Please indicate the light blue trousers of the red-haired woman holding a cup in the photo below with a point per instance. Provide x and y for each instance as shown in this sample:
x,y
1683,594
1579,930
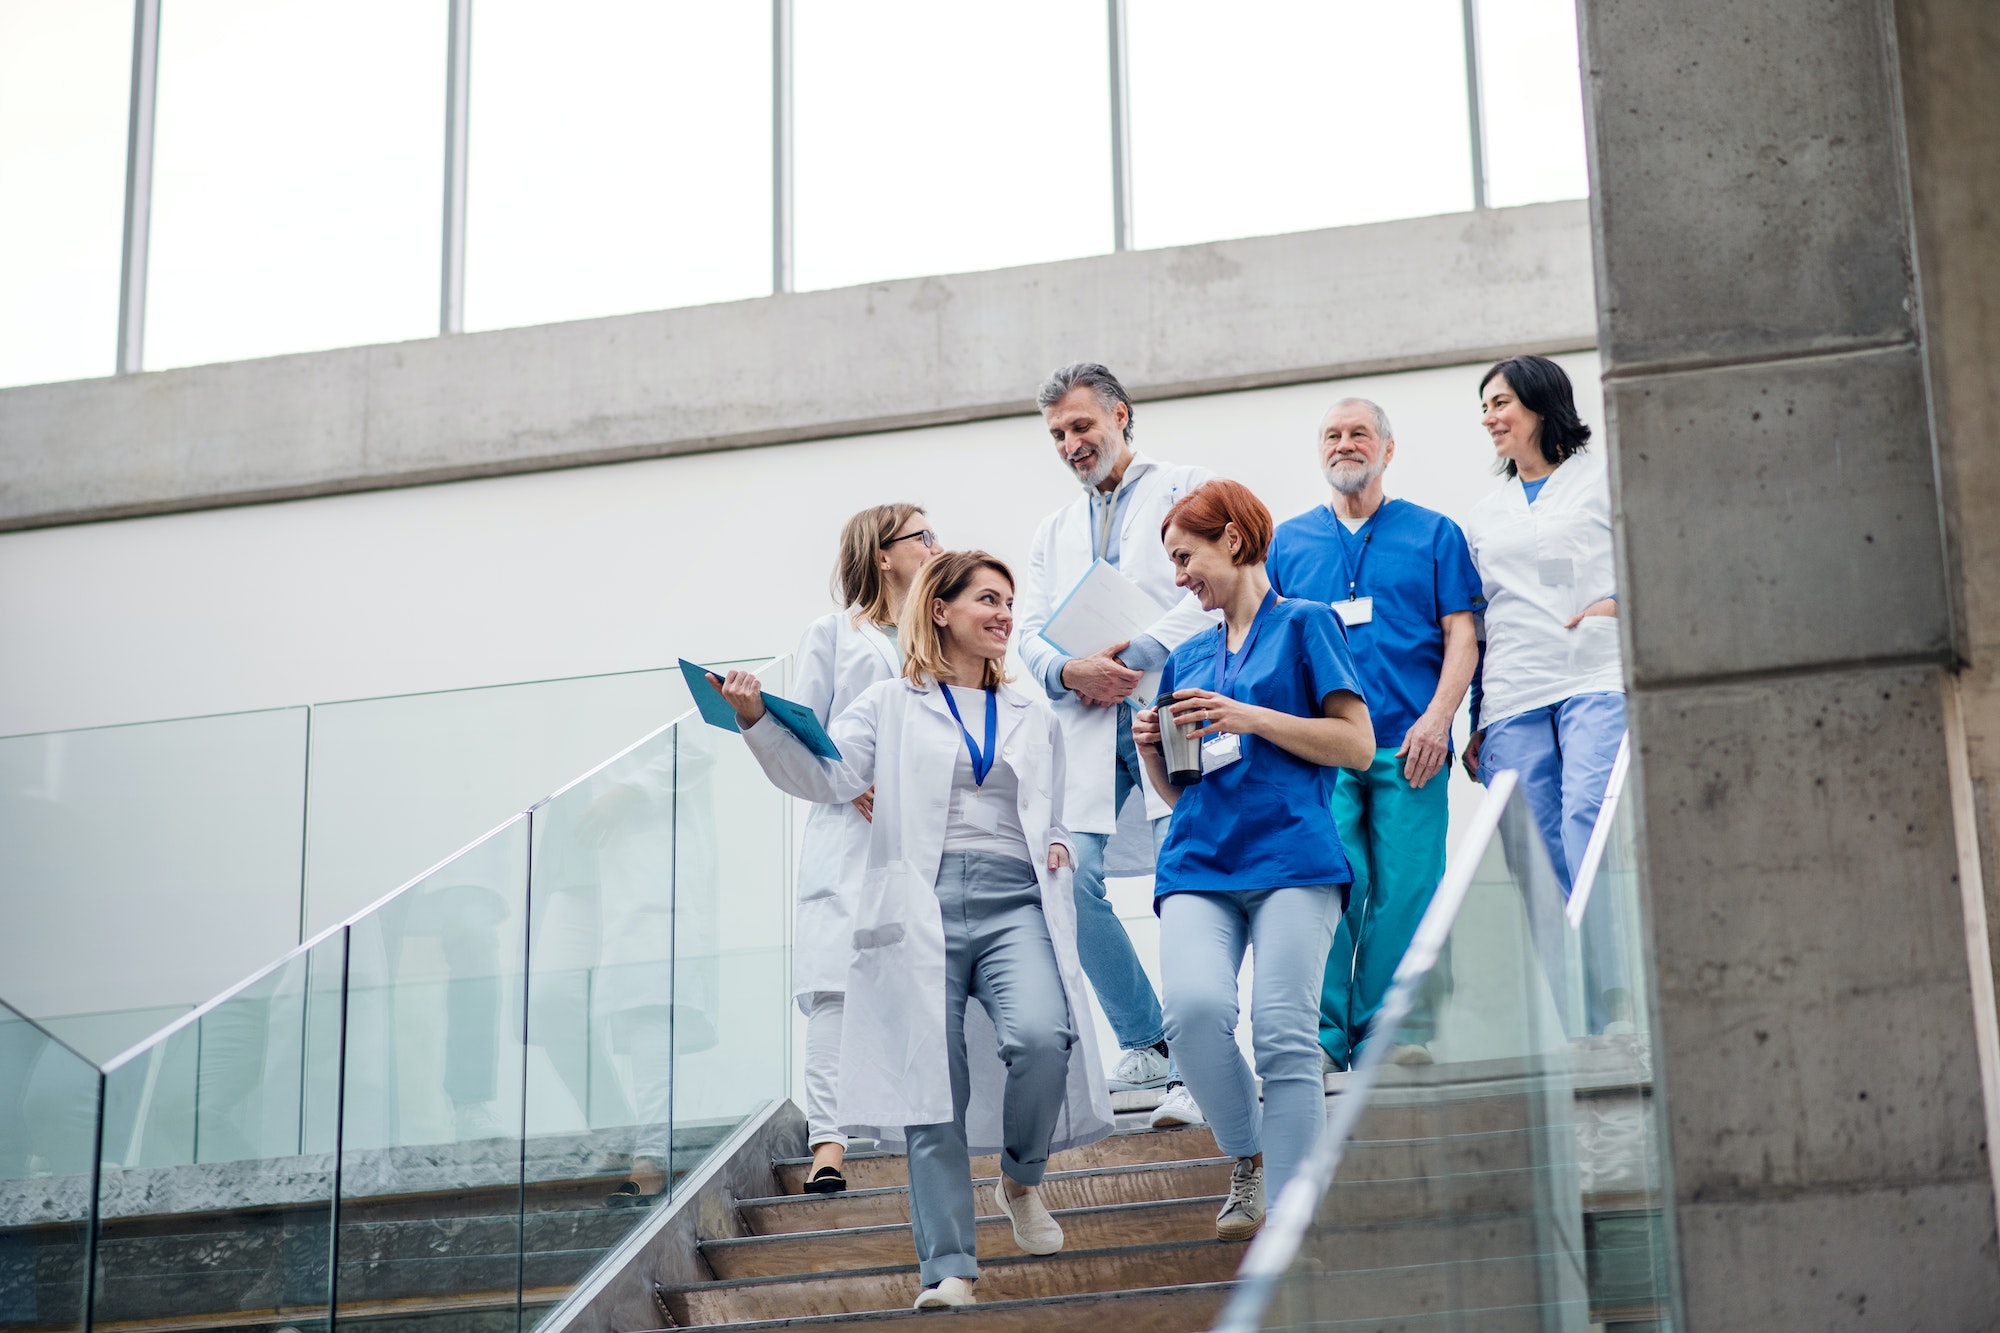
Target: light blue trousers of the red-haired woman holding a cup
x,y
1203,942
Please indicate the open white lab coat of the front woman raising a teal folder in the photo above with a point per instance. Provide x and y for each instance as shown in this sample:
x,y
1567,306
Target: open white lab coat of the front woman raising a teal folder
x,y
901,740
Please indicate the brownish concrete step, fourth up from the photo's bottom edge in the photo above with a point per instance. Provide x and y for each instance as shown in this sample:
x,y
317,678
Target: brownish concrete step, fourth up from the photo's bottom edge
x,y
1063,1190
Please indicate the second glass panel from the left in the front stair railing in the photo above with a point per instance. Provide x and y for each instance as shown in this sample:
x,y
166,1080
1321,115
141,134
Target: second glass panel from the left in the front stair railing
x,y
215,1200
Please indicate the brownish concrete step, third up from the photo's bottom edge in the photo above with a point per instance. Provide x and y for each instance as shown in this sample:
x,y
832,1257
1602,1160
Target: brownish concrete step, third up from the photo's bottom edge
x,y
865,1248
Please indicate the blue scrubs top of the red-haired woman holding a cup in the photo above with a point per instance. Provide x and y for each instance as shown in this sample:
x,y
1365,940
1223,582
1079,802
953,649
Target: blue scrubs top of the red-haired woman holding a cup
x,y
1267,820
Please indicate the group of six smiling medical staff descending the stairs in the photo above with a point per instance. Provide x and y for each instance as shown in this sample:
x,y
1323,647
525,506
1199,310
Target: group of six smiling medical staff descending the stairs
x,y
959,846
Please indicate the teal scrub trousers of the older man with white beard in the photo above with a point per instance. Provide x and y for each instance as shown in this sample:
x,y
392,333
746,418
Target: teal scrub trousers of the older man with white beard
x,y
1395,842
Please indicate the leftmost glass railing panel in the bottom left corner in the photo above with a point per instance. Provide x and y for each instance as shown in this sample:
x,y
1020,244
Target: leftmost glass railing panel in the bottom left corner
x,y
49,1140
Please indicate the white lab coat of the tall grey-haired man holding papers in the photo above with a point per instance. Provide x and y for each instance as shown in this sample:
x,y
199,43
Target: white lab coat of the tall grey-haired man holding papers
x,y
1063,553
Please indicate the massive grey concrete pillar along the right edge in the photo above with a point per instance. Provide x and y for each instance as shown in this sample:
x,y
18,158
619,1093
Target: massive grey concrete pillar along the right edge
x,y
1793,643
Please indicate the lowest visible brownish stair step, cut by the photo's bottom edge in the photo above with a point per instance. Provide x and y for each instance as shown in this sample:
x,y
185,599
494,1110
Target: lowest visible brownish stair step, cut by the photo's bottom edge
x,y
1189,1308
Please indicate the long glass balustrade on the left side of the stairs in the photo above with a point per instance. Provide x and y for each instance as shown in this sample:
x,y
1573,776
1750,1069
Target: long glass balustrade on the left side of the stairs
x,y
443,1110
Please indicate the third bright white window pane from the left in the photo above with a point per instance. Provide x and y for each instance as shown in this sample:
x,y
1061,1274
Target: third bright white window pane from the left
x,y
621,159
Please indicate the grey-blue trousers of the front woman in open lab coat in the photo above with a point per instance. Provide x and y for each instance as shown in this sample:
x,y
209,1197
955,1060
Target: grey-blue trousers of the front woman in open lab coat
x,y
995,950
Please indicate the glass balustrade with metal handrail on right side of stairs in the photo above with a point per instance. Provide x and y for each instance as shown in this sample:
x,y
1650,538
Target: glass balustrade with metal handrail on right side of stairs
x,y
1485,1168
